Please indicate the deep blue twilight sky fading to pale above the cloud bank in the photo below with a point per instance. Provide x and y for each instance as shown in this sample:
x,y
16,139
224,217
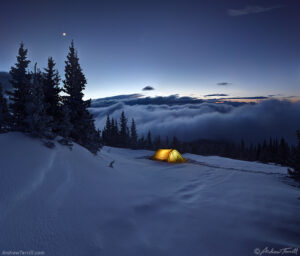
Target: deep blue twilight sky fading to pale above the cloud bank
x,y
178,47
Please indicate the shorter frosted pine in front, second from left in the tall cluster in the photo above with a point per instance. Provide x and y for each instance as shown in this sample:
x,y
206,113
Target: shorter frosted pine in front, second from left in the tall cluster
x,y
36,117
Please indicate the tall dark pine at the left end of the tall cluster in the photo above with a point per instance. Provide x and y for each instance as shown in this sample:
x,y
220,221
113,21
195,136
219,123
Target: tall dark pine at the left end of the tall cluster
x,y
19,95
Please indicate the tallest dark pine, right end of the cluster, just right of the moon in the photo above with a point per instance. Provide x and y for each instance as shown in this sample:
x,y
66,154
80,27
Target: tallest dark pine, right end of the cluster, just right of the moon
x,y
83,129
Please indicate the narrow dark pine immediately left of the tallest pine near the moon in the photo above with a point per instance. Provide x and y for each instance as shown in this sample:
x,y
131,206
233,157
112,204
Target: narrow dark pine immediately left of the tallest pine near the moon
x,y
51,96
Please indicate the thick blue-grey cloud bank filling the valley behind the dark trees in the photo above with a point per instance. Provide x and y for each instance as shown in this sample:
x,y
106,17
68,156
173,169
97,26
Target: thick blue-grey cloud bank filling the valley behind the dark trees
x,y
204,120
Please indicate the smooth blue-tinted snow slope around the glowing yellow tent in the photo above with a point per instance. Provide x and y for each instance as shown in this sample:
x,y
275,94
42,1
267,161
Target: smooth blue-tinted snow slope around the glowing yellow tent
x,y
69,202
